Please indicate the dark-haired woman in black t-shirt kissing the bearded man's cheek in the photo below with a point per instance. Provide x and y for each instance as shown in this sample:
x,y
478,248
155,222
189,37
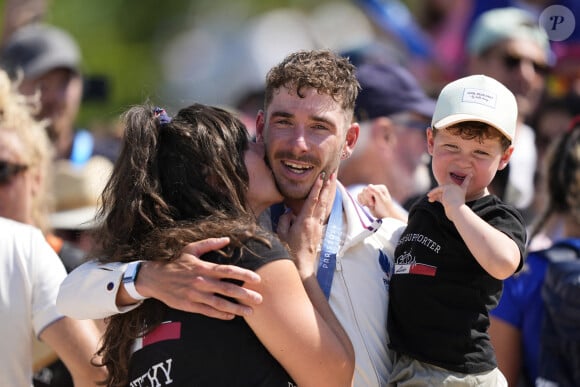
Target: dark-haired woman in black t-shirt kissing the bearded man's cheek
x,y
197,176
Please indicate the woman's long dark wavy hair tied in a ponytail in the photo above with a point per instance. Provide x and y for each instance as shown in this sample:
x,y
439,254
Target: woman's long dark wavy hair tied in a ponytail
x,y
174,182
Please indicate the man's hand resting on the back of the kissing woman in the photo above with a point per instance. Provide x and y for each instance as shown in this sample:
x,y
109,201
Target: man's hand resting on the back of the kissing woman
x,y
193,285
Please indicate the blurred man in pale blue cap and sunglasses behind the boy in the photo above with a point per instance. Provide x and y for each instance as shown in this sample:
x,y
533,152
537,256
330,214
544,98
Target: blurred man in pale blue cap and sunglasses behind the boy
x,y
509,45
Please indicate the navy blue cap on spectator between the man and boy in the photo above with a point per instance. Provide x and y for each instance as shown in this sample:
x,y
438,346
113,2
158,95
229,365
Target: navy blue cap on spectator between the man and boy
x,y
388,88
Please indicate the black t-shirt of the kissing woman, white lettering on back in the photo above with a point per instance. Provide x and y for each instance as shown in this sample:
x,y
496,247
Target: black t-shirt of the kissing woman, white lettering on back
x,y
195,350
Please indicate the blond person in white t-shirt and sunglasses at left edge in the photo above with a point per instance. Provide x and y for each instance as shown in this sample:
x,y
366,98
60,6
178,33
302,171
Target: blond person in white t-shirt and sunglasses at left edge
x,y
30,270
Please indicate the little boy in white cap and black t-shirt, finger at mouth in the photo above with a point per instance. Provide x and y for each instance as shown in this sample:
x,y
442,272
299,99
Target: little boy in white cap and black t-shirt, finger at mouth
x,y
460,243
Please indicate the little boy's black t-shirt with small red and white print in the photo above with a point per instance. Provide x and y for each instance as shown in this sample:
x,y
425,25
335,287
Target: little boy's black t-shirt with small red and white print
x,y
439,294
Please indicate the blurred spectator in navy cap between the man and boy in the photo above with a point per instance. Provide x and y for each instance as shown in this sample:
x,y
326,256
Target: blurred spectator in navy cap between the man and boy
x,y
393,112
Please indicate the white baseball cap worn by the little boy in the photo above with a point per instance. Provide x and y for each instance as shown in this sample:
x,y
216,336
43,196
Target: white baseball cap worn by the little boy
x,y
477,98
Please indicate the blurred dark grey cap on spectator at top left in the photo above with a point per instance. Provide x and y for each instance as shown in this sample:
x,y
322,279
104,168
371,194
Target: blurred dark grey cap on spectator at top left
x,y
38,48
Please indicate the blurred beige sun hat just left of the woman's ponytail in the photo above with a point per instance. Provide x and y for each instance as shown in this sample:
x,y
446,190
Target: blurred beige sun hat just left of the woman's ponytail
x,y
77,189
